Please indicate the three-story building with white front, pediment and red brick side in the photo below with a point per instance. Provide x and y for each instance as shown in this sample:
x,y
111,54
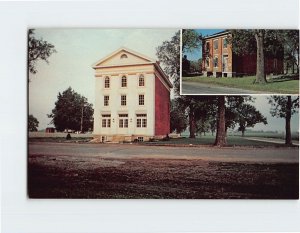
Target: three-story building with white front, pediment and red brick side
x,y
132,98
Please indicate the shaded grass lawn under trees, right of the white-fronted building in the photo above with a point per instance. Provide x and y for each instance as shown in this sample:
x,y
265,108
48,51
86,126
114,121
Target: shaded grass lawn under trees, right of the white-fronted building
x,y
209,140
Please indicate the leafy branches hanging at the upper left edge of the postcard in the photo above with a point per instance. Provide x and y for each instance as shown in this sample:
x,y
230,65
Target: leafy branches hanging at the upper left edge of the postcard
x,y
38,49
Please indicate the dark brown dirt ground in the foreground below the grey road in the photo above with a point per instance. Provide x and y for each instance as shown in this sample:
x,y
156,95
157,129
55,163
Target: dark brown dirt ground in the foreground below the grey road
x,y
64,176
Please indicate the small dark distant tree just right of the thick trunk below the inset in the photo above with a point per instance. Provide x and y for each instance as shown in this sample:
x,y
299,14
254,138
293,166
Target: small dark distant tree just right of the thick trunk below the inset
x,y
248,116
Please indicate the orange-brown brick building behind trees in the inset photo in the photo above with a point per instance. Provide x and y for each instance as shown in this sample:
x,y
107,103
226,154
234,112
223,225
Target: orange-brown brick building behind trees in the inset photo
x,y
219,60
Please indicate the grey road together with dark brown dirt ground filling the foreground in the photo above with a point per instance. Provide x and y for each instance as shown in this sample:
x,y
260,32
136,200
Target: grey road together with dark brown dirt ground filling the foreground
x,y
67,170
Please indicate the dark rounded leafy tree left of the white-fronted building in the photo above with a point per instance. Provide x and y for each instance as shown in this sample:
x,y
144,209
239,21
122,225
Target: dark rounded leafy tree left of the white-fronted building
x,y
72,111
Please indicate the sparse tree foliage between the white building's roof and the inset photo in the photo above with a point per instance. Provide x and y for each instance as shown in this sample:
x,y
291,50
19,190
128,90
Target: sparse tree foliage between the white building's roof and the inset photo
x,y
169,56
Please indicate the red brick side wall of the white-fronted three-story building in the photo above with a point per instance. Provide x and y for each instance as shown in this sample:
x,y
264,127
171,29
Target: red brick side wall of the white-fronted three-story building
x,y
162,109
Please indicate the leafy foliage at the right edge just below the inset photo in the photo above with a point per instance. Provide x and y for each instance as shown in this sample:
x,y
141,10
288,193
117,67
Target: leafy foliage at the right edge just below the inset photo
x,y
279,105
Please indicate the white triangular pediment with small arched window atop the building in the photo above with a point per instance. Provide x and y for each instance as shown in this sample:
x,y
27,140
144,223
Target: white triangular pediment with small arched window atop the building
x,y
122,57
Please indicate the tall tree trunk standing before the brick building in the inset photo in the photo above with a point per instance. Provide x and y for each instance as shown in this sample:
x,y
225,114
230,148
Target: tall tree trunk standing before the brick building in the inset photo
x,y
260,61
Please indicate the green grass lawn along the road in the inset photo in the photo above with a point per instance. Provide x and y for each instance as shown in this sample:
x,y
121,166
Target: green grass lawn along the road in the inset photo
x,y
284,85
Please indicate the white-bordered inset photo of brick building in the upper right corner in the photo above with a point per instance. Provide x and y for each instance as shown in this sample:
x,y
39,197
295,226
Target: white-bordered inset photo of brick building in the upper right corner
x,y
229,62
